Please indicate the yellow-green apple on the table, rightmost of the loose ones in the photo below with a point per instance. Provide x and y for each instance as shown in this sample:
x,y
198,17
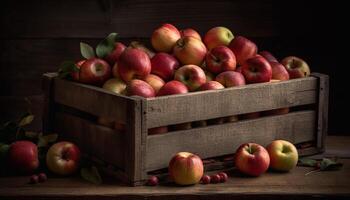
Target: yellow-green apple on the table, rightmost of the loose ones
x,y
283,155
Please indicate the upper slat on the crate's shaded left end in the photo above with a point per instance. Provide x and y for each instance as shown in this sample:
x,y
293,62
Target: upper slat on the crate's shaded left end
x,y
90,99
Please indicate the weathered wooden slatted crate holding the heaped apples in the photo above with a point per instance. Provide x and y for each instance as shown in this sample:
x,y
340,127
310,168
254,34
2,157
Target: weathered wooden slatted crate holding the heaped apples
x,y
71,109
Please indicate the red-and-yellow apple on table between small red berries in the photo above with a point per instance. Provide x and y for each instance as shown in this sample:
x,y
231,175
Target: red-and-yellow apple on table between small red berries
x,y
186,168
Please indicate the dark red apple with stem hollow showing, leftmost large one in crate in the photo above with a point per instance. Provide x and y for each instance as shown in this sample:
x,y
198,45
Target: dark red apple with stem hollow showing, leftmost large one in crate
x,y
94,71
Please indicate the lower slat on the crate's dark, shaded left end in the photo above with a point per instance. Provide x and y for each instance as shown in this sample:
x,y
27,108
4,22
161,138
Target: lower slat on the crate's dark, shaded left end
x,y
98,141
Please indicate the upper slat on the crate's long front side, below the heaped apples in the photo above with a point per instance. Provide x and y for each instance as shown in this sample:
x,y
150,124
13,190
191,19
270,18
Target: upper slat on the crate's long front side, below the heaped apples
x,y
231,101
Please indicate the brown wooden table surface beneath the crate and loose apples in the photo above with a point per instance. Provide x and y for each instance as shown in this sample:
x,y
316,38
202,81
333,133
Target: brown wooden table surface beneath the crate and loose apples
x,y
327,185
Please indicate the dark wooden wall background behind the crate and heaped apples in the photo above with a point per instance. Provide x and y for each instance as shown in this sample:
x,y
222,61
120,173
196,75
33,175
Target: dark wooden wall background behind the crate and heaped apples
x,y
36,36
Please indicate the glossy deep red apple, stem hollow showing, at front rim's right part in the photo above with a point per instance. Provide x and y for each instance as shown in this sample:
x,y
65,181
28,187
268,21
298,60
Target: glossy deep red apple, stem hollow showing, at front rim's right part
x,y
257,70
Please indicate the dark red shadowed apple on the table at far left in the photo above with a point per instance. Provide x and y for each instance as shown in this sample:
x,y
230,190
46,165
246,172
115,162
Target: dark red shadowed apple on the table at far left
x,y
23,156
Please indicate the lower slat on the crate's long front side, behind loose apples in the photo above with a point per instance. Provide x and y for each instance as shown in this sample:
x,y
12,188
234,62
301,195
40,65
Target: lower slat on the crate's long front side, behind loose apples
x,y
223,139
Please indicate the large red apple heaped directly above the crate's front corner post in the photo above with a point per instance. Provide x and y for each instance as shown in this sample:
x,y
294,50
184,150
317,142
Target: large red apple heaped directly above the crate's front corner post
x,y
133,63
